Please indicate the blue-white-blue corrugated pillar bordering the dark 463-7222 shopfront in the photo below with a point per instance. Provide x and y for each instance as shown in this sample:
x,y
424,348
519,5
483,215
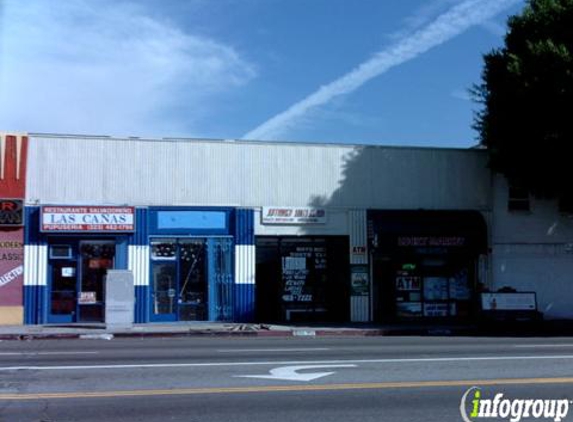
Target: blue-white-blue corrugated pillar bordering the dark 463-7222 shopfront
x,y
244,265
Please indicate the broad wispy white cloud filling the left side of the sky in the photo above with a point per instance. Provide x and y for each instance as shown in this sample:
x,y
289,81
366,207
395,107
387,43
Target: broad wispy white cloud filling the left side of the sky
x,y
107,67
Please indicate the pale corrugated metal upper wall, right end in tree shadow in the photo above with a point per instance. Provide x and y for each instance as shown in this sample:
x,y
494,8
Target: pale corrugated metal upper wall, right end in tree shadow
x,y
191,172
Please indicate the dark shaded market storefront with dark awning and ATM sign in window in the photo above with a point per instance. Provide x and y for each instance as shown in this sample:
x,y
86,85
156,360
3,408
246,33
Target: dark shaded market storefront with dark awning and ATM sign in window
x,y
426,264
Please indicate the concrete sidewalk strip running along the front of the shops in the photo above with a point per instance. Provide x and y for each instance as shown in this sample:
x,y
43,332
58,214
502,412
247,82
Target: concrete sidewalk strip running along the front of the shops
x,y
189,329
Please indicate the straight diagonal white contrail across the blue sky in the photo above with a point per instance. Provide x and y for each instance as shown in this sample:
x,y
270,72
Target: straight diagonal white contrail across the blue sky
x,y
445,27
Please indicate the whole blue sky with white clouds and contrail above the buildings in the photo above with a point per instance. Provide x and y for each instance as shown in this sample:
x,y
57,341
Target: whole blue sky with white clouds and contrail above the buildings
x,y
388,72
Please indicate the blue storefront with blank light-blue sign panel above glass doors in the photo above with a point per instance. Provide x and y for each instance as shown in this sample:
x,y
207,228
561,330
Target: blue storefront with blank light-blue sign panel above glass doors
x,y
192,267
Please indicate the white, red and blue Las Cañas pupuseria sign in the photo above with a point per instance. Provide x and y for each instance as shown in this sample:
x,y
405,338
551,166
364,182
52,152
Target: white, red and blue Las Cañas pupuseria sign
x,y
88,219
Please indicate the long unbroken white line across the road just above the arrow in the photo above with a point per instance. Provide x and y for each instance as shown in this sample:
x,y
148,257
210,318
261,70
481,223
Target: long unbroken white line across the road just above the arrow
x,y
279,363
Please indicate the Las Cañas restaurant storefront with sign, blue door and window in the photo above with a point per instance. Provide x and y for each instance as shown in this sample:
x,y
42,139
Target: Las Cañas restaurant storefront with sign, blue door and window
x,y
80,245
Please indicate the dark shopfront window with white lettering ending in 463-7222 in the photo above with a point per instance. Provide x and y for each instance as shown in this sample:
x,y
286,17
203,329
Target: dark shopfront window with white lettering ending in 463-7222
x,y
302,278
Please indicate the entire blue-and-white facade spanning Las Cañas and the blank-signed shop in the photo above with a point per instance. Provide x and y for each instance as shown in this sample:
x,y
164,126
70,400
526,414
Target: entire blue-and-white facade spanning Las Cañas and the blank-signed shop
x,y
188,263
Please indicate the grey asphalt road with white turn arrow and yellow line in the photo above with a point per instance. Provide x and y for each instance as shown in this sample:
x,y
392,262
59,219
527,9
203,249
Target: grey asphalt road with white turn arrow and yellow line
x,y
285,379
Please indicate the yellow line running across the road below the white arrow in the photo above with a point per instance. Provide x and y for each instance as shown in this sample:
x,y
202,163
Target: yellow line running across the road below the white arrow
x,y
279,388
